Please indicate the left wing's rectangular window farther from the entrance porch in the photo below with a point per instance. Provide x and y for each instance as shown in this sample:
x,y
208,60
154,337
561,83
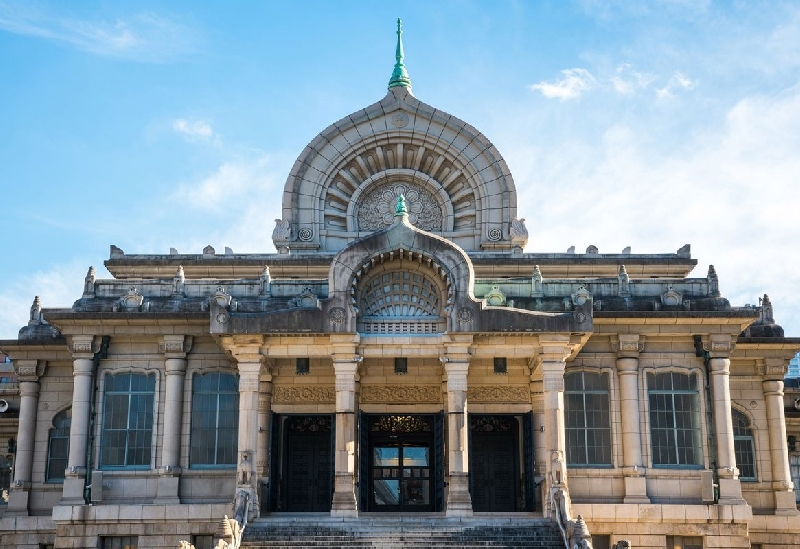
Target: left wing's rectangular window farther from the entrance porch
x,y
127,435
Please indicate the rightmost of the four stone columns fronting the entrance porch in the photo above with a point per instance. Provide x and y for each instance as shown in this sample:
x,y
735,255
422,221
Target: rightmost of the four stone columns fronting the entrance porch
x,y
554,351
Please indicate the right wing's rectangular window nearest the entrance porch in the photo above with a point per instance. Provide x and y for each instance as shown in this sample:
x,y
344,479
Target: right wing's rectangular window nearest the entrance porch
x,y
587,418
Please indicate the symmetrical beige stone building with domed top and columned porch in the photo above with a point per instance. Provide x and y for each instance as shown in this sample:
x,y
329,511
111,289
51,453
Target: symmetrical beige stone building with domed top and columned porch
x,y
401,353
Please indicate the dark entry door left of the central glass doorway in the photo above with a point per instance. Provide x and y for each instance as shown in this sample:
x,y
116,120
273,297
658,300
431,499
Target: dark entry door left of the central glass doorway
x,y
309,472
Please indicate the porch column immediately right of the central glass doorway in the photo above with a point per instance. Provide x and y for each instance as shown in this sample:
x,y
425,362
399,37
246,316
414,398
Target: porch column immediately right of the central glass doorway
x,y
456,367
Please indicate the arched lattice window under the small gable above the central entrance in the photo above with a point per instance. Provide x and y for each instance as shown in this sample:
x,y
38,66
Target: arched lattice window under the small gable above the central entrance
x,y
400,301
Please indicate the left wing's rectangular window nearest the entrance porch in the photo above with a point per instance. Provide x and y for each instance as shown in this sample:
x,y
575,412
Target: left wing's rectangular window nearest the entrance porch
x,y
215,420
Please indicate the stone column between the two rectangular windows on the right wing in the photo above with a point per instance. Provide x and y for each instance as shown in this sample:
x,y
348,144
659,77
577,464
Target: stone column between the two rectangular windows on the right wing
x,y
628,347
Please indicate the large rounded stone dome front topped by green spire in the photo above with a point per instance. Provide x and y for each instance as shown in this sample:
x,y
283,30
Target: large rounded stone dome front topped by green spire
x,y
345,183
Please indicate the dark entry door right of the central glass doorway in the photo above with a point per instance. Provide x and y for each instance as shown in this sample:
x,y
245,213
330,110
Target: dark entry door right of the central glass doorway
x,y
493,470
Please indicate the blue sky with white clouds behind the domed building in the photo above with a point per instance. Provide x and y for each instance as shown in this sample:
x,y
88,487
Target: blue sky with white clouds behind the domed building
x,y
152,125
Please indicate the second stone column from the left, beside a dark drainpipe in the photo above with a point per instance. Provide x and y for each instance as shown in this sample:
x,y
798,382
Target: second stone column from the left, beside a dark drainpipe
x,y
83,377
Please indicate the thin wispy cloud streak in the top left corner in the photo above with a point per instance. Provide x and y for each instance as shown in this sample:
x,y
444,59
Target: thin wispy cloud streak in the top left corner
x,y
145,37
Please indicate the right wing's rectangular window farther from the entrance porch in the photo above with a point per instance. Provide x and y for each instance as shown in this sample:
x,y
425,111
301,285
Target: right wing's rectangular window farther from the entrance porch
x,y
675,432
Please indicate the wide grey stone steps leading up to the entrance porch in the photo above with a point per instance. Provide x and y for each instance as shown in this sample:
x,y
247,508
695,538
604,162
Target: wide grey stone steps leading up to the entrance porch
x,y
388,533
